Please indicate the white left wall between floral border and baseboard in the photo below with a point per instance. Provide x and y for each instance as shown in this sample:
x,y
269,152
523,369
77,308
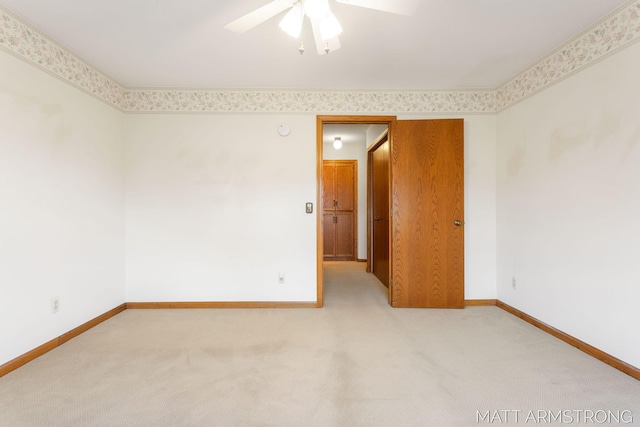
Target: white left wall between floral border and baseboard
x,y
62,207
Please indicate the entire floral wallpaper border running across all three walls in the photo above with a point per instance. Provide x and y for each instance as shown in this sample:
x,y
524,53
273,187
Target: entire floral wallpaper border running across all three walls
x,y
612,33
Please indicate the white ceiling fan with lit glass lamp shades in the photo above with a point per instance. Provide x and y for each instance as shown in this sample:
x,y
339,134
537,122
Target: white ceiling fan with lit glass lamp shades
x,y
324,23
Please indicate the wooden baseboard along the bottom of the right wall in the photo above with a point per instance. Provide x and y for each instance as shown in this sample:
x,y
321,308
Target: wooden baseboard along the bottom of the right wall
x,y
580,345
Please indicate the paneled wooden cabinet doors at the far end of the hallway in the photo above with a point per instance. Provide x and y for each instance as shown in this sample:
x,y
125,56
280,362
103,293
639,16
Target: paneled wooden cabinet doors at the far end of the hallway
x,y
339,210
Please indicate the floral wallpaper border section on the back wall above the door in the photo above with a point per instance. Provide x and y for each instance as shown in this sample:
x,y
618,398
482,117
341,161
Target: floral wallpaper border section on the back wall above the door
x,y
297,101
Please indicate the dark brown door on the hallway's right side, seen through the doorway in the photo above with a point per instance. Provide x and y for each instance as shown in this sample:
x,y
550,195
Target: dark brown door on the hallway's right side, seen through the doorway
x,y
380,212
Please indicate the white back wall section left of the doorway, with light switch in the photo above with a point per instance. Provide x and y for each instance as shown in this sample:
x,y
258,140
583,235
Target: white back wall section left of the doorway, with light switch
x,y
216,208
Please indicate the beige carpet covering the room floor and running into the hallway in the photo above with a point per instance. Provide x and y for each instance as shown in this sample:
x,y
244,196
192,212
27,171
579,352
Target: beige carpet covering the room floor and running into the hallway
x,y
356,362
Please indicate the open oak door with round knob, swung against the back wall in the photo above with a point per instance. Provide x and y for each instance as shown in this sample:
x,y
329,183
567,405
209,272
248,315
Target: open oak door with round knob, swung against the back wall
x,y
427,162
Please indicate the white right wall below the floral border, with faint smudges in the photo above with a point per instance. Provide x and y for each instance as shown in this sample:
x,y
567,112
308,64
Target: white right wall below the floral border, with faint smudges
x,y
569,205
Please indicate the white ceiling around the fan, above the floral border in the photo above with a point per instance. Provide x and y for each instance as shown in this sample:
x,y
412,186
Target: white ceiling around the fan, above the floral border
x,y
447,44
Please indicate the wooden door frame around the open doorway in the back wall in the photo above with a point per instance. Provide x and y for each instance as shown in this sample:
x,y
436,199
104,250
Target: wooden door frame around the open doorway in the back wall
x,y
320,122
